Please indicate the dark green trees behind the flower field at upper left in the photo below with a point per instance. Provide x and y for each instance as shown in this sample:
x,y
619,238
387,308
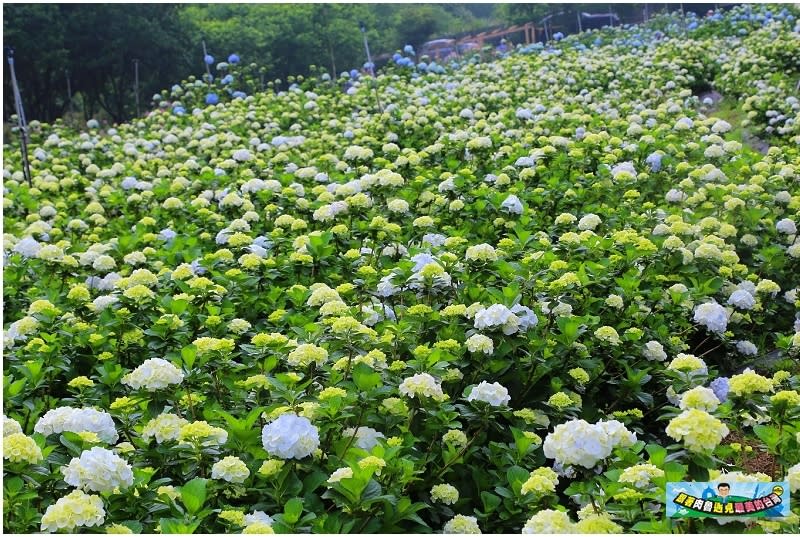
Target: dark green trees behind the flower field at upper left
x,y
93,46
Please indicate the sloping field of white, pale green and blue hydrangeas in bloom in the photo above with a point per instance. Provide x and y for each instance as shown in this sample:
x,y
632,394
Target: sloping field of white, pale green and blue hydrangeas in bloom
x,y
508,296
